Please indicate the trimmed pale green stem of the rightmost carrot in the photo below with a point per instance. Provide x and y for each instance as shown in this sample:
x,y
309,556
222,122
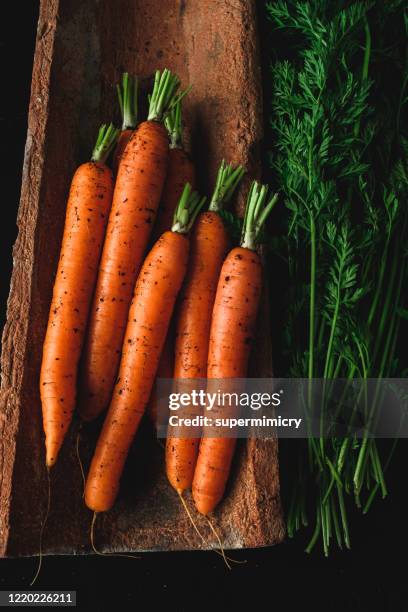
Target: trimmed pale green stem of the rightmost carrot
x,y
256,212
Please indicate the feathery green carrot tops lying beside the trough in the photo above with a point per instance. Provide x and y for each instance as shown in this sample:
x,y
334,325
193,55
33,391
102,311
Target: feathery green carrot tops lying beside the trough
x,y
340,158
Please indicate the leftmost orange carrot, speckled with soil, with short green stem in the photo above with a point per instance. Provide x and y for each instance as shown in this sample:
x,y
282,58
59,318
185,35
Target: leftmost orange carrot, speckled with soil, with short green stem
x,y
88,206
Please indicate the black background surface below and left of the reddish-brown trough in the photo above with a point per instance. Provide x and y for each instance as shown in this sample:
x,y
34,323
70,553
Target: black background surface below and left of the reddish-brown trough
x,y
372,576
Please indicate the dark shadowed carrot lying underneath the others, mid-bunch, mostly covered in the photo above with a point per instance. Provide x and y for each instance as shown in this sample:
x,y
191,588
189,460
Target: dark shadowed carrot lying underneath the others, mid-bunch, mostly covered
x,y
179,172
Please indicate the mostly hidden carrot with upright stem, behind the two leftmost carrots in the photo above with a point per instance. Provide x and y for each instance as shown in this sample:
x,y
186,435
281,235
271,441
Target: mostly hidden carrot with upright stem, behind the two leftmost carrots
x,y
127,95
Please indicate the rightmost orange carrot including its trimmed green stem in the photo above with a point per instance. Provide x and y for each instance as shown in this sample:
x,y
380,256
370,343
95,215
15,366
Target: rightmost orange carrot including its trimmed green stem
x,y
232,330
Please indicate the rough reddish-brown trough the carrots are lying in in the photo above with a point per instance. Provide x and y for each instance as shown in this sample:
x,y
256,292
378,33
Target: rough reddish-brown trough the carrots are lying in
x,y
82,47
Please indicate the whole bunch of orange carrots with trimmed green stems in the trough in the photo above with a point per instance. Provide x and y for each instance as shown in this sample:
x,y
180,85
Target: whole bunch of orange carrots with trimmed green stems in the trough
x,y
147,286
